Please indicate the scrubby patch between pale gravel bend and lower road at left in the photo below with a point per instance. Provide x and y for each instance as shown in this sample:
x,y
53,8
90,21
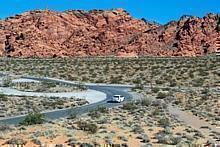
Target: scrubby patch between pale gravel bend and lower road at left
x,y
17,105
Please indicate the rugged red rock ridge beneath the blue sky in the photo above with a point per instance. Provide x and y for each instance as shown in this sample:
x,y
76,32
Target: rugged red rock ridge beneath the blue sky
x,y
104,33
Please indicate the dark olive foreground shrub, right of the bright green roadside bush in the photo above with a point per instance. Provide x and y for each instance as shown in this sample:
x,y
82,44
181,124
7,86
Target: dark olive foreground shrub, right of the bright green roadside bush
x,y
89,127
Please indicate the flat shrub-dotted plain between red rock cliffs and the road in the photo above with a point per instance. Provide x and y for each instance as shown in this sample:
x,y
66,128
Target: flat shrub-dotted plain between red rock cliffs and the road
x,y
152,71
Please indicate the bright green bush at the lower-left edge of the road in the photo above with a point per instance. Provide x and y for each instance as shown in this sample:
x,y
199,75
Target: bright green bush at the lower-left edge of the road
x,y
33,118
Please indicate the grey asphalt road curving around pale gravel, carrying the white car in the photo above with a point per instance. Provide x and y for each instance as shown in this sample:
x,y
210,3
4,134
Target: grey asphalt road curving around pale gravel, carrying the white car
x,y
60,113
